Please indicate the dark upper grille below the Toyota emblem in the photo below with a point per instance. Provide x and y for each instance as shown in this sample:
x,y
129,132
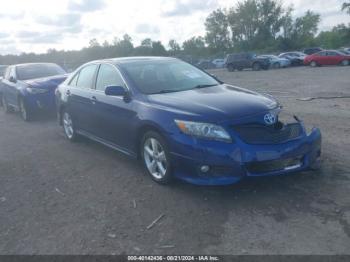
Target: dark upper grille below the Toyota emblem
x,y
260,134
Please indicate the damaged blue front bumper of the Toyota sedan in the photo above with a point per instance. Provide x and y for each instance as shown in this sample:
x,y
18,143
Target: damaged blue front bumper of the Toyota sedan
x,y
230,163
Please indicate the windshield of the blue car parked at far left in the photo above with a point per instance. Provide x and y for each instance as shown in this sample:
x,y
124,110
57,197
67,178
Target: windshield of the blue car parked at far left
x,y
25,72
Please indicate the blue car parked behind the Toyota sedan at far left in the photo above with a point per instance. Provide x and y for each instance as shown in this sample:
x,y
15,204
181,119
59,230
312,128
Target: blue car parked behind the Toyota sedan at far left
x,y
29,88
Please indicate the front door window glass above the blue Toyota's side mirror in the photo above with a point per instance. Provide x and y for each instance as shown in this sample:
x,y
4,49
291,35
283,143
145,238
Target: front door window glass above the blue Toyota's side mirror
x,y
108,76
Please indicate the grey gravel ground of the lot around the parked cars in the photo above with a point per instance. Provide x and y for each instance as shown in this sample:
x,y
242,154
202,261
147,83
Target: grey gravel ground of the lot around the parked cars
x,y
58,197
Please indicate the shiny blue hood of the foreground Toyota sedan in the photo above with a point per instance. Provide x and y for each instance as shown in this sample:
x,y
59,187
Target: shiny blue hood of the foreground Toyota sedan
x,y
215,104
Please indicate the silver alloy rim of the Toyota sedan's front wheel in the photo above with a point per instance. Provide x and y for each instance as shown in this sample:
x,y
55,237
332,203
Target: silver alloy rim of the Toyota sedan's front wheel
x,y
155,158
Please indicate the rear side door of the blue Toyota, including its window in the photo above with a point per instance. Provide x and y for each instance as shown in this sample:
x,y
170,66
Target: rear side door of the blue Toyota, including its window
x,y
80,92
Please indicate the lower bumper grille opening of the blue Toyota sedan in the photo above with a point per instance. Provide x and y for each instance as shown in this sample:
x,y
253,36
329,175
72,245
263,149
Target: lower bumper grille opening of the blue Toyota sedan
x,y
274,165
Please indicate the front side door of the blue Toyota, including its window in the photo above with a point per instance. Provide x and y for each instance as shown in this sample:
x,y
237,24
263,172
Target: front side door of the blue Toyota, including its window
x,y
113,116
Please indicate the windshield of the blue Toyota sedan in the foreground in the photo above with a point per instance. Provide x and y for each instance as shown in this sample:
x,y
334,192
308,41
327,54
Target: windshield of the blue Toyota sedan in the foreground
x,y
154,77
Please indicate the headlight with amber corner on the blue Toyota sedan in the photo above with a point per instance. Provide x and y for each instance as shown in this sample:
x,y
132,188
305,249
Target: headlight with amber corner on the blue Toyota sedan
x,y
204,130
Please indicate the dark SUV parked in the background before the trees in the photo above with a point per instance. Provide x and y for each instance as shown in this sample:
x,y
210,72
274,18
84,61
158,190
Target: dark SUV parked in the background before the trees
x,y
246,60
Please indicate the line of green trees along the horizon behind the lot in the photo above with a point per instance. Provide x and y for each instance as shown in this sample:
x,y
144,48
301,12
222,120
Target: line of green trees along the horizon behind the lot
x,y
251,25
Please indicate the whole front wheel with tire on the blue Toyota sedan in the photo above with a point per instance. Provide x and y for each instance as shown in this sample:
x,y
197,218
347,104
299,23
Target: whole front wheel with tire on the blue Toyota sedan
x,y
156,158
